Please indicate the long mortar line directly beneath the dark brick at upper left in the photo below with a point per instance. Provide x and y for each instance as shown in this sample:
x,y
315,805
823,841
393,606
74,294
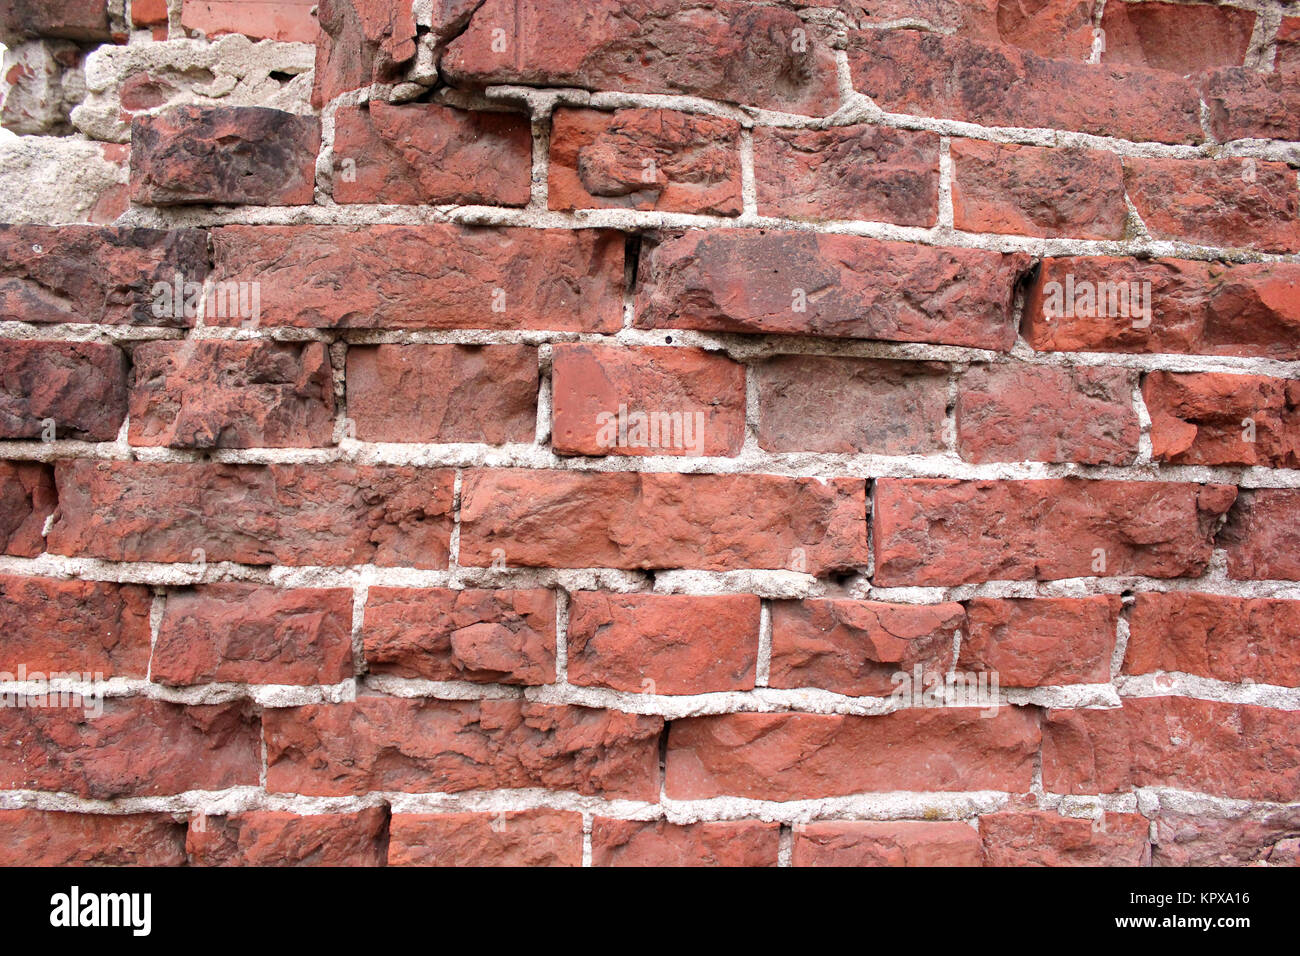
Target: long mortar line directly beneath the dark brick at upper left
x,y
630,220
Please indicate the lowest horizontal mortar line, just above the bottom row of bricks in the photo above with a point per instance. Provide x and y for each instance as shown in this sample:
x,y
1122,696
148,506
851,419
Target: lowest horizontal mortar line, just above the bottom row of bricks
x,y
886,806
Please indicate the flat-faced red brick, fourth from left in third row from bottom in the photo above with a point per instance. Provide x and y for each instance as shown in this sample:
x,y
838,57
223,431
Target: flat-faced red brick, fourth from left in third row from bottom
x,y
664,643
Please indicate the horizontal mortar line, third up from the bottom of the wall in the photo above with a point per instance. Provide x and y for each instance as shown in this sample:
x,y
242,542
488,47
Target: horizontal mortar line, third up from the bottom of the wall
x,y
768,583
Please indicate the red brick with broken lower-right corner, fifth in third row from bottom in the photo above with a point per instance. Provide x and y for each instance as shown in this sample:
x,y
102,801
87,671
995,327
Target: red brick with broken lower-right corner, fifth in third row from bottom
x,y
859,647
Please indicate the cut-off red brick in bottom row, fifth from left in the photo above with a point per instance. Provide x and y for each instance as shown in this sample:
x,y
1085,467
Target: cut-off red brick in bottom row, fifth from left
x,y
909,843
